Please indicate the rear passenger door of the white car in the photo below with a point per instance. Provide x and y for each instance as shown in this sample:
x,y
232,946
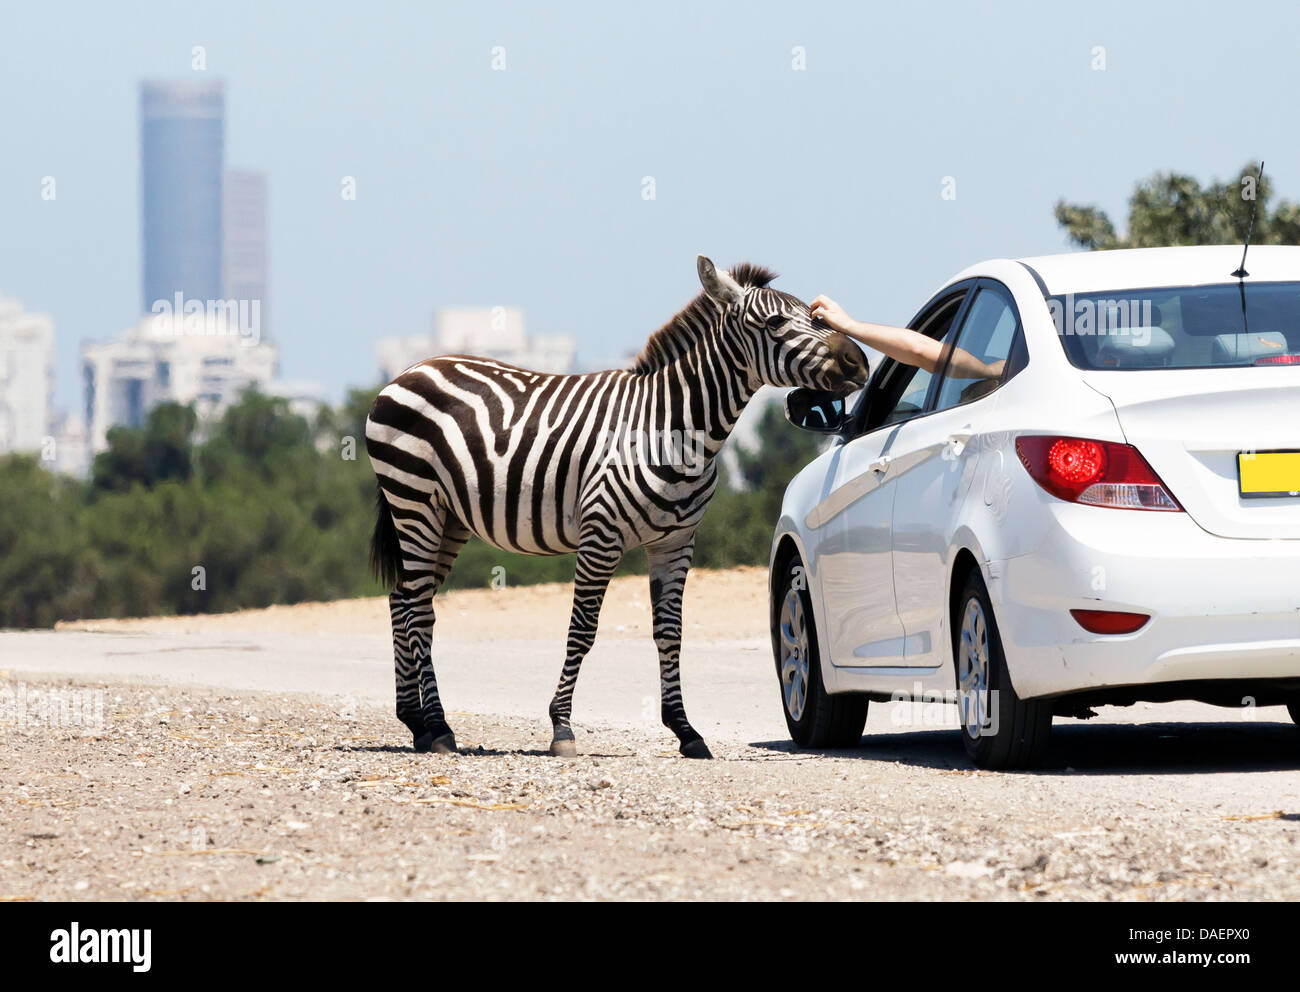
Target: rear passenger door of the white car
x,y
934,462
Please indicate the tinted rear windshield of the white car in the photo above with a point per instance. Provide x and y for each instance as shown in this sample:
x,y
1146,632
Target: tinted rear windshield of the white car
x,y
1190,327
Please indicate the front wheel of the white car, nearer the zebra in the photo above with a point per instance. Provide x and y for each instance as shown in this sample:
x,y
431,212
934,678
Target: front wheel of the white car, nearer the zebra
x,y
816,718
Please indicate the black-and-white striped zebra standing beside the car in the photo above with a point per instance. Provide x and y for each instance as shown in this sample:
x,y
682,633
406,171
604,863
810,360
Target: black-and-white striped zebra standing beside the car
x,y
539,463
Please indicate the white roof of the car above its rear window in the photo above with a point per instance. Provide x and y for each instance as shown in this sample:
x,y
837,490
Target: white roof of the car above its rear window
x,y
1146,268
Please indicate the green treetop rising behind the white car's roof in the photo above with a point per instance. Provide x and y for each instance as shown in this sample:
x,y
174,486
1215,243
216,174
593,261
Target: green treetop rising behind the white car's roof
x,y
1171,209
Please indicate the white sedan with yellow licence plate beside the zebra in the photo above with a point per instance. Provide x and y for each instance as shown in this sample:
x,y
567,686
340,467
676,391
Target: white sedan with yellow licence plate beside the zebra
x,y
1108,513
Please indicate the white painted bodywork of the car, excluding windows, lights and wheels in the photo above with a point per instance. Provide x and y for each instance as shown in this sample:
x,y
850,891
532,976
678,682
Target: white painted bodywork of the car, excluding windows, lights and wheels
x,y
1221,582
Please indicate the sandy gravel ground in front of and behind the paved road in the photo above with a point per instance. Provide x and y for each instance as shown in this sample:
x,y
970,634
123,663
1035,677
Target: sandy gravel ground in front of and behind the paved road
x,y
187,792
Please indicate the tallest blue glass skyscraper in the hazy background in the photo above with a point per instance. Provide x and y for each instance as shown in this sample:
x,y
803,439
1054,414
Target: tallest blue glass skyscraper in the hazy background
x,y
183,146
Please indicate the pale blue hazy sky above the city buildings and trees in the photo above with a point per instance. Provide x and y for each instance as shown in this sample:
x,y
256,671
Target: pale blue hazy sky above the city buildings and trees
x,y
526,187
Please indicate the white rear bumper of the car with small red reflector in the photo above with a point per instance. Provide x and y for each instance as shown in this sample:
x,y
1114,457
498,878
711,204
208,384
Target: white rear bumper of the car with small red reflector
x,y
1220,609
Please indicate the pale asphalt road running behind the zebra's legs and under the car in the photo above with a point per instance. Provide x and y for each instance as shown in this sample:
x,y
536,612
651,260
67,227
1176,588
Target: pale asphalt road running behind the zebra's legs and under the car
x,y
730,685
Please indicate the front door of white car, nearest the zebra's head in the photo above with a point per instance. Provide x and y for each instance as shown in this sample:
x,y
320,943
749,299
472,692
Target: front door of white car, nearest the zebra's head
x,y
855,555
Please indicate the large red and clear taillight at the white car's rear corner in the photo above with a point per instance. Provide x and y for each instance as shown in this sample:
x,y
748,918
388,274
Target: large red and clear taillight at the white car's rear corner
x,y
1094,473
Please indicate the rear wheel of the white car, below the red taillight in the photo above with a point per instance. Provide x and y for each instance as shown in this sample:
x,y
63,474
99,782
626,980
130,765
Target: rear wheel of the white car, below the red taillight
x,y
999,729
